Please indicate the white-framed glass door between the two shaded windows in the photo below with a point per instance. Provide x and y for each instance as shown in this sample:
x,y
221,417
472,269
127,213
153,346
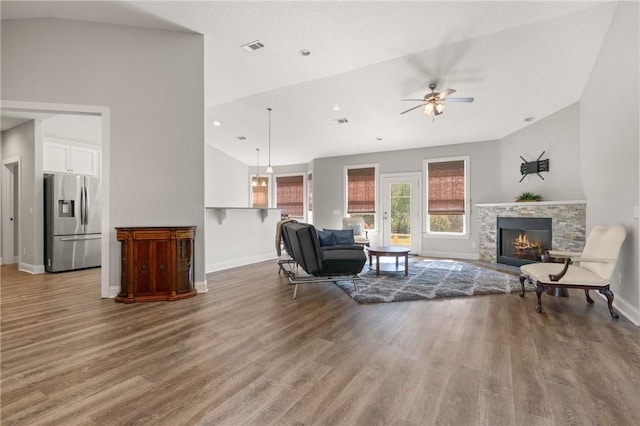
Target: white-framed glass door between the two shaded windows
x,y
401,212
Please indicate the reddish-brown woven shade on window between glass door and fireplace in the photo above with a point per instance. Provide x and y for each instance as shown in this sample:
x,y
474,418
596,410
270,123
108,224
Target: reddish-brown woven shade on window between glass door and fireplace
x,y
446,187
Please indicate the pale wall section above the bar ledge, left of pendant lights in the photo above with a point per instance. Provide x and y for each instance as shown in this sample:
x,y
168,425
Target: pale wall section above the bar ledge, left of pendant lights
x,y
226,180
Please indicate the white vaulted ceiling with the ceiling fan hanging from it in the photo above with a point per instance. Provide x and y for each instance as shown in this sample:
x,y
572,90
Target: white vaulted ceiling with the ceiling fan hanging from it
x,y
518,59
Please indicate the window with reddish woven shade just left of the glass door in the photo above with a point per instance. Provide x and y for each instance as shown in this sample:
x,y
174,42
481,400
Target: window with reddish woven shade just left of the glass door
x,y
361,194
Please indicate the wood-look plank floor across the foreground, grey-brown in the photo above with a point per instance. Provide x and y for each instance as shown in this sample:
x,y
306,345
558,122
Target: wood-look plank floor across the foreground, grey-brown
x,y
245,353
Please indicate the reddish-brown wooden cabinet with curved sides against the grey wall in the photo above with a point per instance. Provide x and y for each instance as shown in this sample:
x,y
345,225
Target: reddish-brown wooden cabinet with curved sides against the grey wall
x,y
157,263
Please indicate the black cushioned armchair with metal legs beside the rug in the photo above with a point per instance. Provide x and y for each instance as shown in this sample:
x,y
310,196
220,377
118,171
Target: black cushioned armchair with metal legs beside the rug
x,y
331,263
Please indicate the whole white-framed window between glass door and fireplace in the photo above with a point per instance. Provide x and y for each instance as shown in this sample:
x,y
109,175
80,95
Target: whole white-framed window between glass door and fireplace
x,y
446,196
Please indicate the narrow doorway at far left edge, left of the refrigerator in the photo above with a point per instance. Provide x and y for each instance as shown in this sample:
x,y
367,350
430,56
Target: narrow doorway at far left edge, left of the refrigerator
x,y
10,211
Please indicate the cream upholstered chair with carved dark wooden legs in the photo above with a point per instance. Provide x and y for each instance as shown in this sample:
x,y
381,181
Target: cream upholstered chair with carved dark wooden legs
x,y
589,270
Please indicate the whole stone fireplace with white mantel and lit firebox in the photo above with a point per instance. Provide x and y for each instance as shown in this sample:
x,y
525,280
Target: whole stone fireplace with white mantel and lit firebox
x,y
568,228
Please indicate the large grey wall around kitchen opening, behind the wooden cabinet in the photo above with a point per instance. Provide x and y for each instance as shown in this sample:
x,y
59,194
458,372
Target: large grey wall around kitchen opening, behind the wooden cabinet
x,y
153,83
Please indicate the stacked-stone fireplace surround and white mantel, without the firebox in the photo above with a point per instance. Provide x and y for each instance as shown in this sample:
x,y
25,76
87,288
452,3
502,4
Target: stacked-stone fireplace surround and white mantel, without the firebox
x,y
568,223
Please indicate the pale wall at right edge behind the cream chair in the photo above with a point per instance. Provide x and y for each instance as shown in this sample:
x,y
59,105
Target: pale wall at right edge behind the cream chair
x,y
609,146
